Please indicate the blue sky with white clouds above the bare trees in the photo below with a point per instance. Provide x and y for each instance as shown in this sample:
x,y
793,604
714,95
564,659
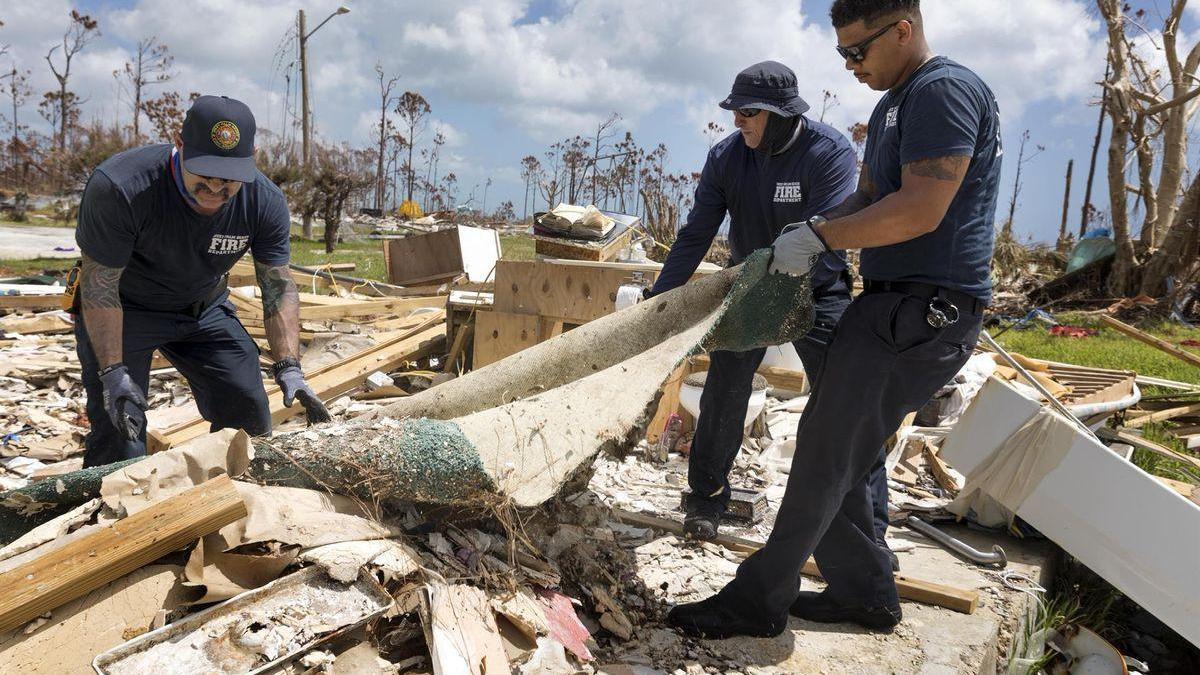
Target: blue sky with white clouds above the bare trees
x,y
508,77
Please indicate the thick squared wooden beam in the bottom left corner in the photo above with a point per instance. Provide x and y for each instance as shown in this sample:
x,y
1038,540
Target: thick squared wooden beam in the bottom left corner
x,y
111,553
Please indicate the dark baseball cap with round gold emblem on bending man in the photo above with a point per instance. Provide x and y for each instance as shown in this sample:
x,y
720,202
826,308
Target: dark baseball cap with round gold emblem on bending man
x,y
219,140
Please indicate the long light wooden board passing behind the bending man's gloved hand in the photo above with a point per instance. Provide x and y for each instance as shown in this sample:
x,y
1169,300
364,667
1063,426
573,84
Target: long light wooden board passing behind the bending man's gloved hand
x,y
333,380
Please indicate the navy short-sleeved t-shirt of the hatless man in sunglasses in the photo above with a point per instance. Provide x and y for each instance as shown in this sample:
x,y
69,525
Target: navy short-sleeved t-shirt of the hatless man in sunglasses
x,y
943,110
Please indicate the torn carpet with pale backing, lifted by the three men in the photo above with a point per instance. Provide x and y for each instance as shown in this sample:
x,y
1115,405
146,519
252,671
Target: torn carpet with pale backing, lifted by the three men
x,y
520,428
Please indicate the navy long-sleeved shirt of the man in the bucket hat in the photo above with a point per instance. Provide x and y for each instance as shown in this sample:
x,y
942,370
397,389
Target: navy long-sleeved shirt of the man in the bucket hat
x,y
763,194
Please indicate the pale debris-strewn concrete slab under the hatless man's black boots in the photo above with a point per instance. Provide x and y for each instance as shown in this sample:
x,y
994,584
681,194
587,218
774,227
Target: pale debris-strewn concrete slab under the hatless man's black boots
x,y
931,641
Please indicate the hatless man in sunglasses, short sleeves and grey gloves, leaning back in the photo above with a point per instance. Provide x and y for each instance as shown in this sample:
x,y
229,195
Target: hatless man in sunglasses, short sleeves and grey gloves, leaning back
x,y
923,218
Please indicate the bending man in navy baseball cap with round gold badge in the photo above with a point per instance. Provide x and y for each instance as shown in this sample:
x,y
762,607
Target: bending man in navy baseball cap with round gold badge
x,y
160,228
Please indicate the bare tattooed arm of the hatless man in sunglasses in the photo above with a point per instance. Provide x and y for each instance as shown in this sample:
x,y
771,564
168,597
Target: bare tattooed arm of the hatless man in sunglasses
x,y
928,187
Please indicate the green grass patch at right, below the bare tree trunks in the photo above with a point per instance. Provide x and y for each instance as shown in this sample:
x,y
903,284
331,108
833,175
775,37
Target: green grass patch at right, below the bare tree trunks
x,y
1107,350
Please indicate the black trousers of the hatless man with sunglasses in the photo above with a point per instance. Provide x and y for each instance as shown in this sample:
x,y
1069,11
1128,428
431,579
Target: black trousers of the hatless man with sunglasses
x,y
885,362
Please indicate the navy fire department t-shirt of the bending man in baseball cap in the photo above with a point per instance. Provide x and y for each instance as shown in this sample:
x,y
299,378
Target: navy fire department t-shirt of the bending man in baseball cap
x,y
134,217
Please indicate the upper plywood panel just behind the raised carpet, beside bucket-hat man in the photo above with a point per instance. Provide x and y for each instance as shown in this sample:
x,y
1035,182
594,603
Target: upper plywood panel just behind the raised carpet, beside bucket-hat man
x,y
573,294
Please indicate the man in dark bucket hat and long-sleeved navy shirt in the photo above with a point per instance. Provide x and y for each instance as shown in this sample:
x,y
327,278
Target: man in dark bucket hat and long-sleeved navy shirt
x,y
781,168
